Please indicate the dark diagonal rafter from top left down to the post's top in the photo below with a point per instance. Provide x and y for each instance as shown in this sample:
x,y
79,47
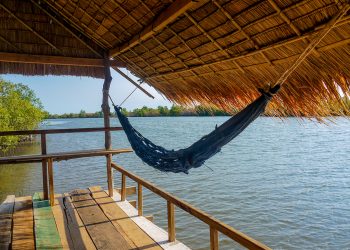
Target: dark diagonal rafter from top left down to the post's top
x,y
65,25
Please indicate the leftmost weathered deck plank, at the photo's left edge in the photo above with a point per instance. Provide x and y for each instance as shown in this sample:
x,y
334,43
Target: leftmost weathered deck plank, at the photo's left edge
x,y
6,215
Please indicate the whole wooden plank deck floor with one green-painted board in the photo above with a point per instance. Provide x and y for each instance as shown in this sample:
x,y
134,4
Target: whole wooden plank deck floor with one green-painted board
x,y
81,219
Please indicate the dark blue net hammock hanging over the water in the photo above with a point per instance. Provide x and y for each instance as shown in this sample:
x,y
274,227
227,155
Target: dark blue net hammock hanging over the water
x,y
195,155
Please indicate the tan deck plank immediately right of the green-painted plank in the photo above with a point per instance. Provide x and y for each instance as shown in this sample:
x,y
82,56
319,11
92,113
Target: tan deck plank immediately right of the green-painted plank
x,y
61,223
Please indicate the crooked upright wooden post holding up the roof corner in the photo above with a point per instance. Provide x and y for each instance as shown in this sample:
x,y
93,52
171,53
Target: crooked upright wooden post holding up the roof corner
x,y
106,110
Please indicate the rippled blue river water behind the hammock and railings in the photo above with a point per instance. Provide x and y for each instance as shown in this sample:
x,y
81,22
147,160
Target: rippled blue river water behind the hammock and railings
x,y
285,183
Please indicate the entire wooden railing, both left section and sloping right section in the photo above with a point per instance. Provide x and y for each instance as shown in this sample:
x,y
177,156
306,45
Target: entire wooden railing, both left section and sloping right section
x,y
47,160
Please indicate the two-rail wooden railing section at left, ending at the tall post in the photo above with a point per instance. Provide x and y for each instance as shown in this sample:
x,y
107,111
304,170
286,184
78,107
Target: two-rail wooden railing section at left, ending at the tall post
x,y
42,158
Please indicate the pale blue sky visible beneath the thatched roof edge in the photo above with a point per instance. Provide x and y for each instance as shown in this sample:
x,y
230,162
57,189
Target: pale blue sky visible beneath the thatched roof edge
x,y
66,94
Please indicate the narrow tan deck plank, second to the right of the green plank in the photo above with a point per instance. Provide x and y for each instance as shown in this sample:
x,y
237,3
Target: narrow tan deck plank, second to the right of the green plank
x,y
79,234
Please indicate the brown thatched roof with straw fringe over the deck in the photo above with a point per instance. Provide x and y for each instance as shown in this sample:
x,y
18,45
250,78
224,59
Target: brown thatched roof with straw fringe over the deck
x,y
210,52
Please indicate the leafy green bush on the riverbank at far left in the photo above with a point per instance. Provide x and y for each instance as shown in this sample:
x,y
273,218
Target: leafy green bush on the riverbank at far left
x,y
20,109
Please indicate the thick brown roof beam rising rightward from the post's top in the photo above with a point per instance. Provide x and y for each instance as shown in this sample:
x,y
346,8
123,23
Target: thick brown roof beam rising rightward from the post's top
x,y
176,9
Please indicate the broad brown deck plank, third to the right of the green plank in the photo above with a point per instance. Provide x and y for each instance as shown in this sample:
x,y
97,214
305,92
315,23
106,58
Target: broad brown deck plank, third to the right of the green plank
x,y
102,232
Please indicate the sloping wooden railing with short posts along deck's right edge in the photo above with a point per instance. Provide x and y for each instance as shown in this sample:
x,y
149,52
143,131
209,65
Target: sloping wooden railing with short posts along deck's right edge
x,y
215,225
